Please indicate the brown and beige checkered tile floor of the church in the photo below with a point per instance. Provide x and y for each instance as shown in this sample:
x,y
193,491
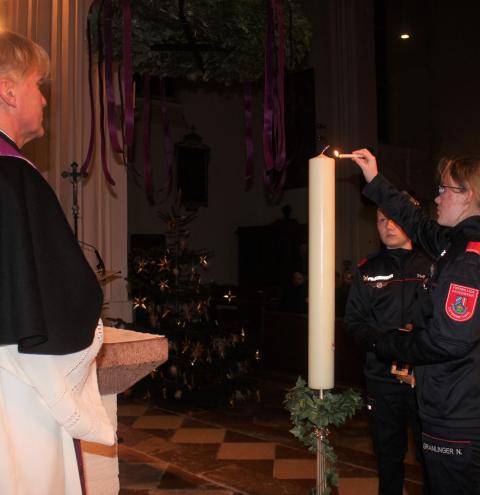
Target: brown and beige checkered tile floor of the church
x,y
170,449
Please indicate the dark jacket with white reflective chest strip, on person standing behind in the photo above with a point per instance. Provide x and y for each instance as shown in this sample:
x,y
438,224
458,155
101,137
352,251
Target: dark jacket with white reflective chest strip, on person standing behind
x,y
388,292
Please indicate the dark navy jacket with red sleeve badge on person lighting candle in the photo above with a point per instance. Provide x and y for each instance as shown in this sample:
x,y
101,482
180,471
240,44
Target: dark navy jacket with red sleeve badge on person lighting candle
x,y
448,382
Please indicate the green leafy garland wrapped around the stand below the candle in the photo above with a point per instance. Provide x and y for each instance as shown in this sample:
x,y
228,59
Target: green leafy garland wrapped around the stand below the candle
x,y
311,417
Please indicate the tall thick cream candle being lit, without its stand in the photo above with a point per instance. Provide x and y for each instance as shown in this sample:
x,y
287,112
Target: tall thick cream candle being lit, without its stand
x,y
321,272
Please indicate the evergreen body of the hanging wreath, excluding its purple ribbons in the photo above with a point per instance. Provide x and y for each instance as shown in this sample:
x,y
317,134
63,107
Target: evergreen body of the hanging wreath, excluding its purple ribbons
x,y
205,40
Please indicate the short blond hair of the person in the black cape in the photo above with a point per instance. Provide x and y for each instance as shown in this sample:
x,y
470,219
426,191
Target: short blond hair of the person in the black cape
x,y
19,56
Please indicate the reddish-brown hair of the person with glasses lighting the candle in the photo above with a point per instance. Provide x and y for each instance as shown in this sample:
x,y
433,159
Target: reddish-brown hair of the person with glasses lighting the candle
x,y
464,170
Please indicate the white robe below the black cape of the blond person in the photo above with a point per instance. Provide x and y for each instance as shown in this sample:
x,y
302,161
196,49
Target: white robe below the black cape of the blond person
x,y
45,401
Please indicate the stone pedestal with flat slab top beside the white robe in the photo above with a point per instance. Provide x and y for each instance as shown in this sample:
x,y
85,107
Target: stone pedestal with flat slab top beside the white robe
x,y
125,358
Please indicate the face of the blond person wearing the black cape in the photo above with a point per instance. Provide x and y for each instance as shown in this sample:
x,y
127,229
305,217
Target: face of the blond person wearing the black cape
x,y
30,103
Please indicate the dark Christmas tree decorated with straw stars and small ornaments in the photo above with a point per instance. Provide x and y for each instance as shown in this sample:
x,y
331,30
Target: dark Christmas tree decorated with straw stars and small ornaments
x,y
210,355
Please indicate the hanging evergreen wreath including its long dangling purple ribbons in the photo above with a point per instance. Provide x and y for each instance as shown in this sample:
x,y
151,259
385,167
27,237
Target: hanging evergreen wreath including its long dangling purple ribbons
x,y
221,41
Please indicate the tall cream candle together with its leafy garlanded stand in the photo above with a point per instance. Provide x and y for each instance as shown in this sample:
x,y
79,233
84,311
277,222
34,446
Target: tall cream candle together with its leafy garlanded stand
x,y
314,407
